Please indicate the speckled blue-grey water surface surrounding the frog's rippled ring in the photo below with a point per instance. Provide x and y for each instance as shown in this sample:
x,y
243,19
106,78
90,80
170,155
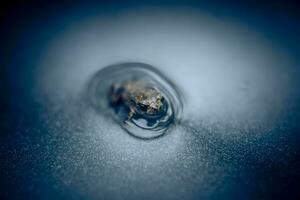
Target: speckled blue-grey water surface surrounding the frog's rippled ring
x,y
238,137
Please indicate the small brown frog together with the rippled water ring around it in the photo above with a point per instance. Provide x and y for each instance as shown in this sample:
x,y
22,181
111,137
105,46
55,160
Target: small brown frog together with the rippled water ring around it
x,y
136,95
